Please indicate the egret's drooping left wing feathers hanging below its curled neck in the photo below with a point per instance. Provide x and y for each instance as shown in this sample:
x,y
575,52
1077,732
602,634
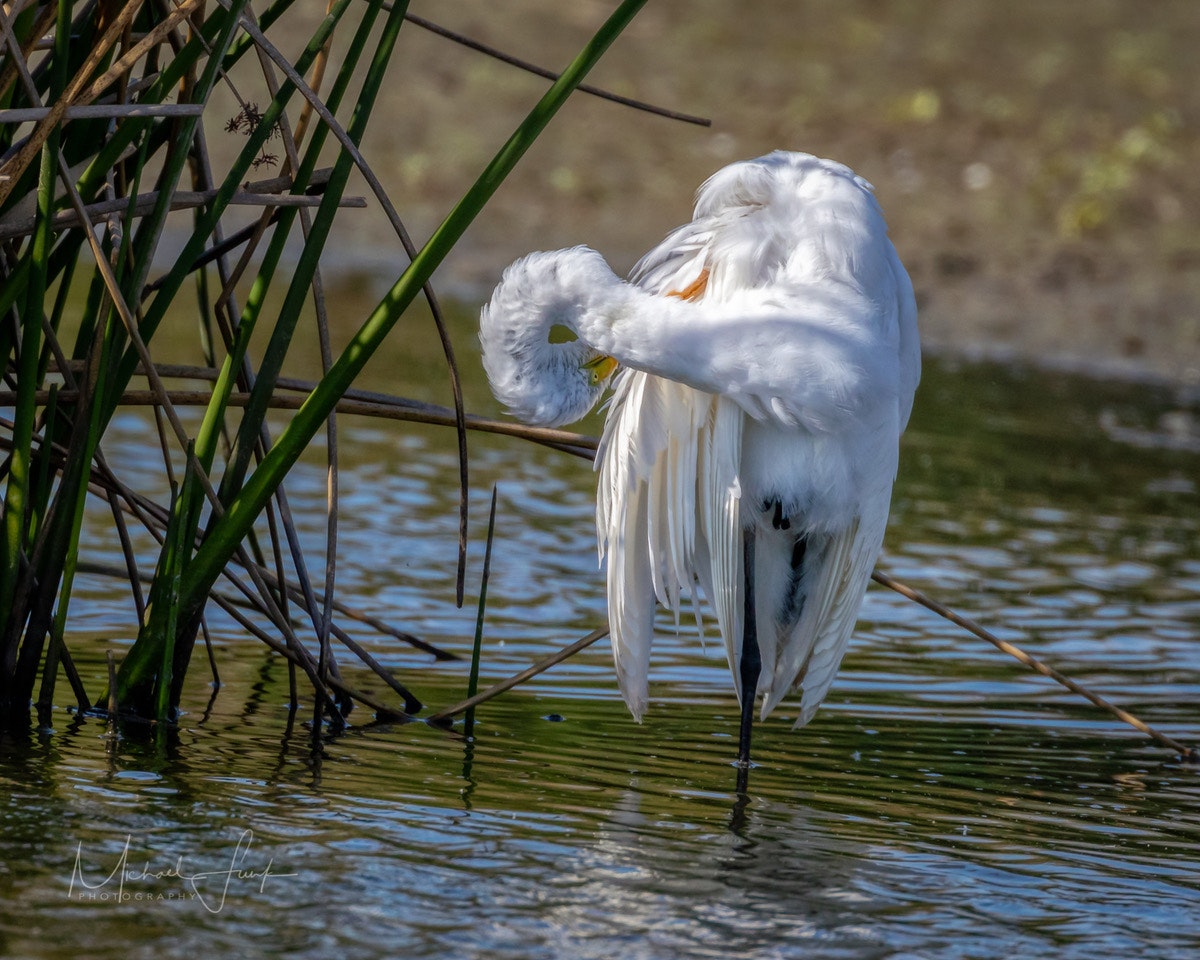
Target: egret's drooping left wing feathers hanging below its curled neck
x,y
668,514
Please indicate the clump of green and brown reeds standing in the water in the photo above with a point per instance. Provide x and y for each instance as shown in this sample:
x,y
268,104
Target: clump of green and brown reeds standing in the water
x,y
103,136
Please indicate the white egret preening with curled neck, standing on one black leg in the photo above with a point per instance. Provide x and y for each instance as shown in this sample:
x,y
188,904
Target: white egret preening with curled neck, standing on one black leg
x,y
766,358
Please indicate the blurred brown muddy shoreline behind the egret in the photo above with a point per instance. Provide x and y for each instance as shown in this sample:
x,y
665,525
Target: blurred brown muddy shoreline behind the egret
x,y
1035,160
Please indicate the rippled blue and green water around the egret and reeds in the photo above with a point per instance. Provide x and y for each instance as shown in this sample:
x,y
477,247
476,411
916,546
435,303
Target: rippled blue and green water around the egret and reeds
x,y
946,802
